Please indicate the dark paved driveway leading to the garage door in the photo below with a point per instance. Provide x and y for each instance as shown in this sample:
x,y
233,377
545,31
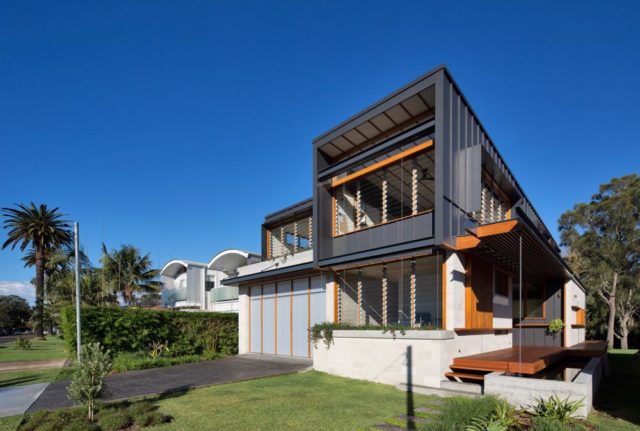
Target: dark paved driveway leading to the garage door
x,y
178,378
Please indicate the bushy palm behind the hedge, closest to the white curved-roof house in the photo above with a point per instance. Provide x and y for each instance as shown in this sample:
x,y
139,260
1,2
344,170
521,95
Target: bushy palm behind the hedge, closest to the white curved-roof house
x,y
127,273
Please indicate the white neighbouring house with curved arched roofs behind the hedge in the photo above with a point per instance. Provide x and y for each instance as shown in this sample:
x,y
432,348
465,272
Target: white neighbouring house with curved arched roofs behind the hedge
x,y
189,285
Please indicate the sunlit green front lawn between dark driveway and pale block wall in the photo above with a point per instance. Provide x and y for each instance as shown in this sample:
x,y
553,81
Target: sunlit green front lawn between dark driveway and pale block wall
x,y
305,401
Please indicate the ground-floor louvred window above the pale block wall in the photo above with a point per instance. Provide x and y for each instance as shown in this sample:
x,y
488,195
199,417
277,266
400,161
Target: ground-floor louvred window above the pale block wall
x,y
381,294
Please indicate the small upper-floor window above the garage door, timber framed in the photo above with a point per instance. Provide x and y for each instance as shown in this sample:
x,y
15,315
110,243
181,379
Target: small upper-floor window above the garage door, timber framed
x,y
290,238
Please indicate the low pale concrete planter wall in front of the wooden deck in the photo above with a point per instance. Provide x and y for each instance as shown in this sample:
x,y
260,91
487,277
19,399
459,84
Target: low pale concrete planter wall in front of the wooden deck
x,y
523,392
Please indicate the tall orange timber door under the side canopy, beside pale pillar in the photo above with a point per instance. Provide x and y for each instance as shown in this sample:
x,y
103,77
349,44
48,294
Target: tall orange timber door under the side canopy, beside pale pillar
x,y
478,294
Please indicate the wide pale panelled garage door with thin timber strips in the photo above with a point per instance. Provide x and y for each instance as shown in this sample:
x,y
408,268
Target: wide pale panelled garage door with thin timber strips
x,y
281,314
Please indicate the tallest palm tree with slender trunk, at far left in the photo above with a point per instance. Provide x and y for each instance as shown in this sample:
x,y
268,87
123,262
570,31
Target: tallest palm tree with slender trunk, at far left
x,y
42,229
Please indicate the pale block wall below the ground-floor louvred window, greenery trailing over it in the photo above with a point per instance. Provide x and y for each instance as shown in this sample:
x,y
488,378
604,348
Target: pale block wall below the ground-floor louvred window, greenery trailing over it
x,y
378,357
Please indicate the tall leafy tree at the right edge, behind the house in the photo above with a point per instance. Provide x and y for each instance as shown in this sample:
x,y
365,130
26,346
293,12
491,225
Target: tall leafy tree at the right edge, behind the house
x,y
603,238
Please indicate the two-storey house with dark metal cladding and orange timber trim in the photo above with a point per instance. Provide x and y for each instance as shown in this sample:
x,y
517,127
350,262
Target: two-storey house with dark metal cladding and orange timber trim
x,y
416,220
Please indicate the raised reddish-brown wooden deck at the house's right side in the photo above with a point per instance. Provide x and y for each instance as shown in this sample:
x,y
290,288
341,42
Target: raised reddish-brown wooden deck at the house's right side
x,y
529,360
